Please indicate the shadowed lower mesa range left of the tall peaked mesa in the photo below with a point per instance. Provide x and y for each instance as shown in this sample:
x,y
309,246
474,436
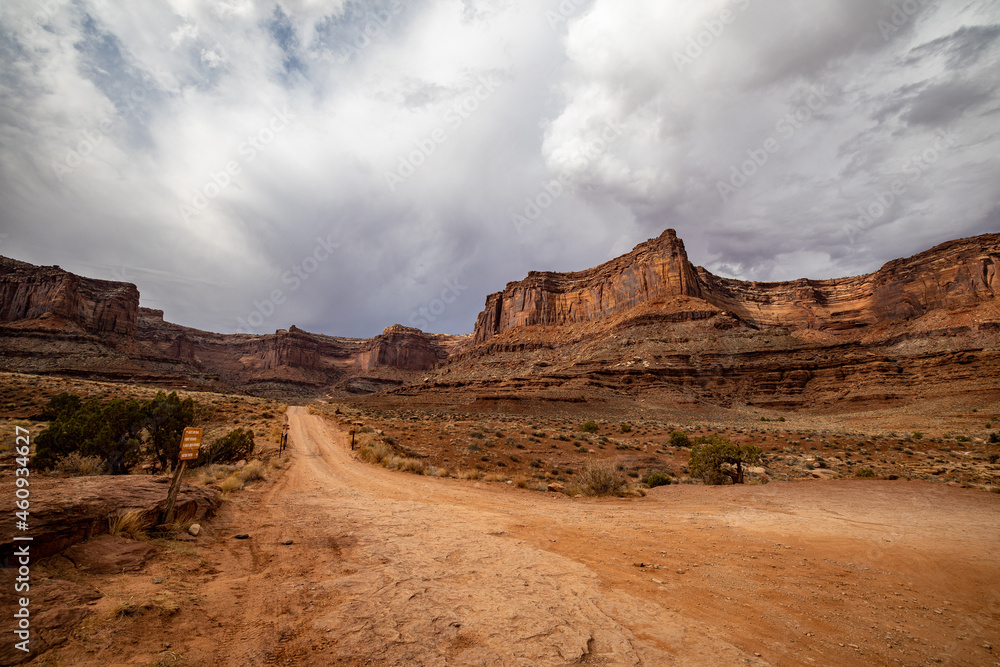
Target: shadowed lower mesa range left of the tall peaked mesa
x,y
52,321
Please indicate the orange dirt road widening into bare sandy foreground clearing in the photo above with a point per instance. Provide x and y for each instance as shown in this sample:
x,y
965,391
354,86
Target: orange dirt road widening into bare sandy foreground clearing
x,y
389,568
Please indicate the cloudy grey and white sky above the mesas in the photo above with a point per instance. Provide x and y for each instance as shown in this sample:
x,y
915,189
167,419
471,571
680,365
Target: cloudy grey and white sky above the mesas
x,y
343,165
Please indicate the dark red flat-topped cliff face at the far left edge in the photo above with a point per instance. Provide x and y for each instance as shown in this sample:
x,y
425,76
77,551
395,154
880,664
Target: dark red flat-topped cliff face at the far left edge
x,y
38,293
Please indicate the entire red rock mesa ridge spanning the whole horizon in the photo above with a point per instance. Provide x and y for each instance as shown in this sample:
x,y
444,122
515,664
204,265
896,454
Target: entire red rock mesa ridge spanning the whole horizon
x,y
646,324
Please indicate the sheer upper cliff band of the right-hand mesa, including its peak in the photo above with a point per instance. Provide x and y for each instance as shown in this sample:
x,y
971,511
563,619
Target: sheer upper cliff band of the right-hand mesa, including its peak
x,y
953,275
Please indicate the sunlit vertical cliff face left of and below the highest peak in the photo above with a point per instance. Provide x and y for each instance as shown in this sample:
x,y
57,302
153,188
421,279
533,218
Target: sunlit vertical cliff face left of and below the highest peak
x,y
655,269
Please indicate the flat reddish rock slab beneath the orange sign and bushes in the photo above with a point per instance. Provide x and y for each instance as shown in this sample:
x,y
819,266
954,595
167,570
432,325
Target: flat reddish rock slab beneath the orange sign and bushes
x,y
68,510
